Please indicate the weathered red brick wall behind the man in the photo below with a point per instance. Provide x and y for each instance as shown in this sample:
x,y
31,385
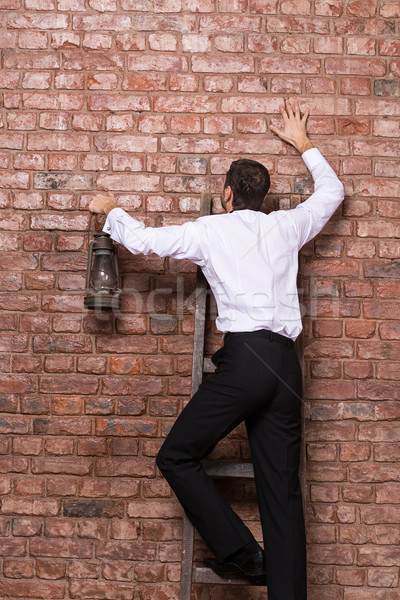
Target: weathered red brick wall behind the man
x,y
153,99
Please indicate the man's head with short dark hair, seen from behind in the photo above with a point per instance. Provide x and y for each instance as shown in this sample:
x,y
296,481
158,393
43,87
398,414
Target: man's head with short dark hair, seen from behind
x,y
249,181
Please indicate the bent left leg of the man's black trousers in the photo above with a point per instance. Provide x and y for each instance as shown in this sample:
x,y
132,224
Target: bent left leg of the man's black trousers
x,y
237,388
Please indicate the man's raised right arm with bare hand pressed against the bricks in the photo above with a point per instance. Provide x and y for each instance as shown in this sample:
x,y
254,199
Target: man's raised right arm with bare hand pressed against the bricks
x,y
310,217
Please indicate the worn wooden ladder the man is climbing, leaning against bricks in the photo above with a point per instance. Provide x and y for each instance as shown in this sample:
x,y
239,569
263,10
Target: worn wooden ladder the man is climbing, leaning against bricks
x,y
201,364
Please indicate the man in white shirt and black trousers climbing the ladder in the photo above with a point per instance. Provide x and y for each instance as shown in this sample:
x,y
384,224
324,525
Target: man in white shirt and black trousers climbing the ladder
x,y
250,261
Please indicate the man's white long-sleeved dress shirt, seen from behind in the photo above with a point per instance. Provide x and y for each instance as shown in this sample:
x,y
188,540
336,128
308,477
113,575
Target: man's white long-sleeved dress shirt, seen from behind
x,y
249,258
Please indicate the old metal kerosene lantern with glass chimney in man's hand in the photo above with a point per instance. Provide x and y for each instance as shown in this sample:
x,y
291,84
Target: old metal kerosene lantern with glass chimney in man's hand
x,y
103,288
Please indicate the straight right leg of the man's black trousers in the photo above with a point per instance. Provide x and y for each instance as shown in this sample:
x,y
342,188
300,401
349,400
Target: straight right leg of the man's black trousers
x,y
275,437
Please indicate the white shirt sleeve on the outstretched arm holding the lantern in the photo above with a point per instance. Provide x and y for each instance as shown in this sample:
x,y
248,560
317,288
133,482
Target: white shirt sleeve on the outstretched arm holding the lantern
x,y
177,241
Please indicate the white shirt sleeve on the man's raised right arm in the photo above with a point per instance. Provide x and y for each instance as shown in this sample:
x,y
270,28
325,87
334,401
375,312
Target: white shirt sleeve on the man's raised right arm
x,y
309,217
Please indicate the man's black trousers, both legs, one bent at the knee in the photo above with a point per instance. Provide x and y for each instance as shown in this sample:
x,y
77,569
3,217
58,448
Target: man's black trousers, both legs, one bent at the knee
x,y
258,379
